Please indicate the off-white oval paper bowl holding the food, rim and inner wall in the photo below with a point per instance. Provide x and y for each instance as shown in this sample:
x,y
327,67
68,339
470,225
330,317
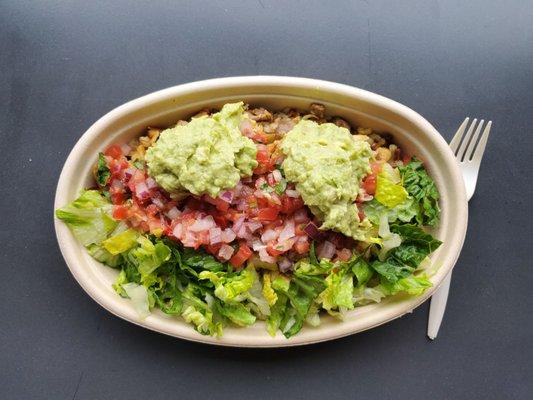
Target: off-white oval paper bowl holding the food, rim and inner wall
x,y
162,108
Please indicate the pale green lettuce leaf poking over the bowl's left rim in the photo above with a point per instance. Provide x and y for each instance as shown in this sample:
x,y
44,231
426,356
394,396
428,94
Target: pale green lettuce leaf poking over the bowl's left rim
x,y
88,217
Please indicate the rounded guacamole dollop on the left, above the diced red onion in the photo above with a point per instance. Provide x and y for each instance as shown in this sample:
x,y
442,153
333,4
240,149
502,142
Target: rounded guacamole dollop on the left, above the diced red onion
x,y
207,155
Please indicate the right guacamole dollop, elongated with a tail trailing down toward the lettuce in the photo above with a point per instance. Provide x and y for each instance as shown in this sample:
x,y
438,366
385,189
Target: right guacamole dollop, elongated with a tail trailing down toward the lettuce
x,y
327,164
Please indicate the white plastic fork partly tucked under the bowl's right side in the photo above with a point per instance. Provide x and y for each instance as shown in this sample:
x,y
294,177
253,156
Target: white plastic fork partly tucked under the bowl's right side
x,y
468,149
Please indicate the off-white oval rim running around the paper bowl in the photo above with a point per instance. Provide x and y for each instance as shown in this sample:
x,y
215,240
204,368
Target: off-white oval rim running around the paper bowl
x,y
317,335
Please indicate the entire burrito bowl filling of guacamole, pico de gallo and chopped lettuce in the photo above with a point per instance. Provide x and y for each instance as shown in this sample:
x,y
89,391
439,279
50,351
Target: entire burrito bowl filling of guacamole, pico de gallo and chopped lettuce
x,y
244,213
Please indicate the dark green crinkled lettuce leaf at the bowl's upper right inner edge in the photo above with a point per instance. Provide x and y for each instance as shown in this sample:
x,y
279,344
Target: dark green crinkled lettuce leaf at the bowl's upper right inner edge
x,y
422,188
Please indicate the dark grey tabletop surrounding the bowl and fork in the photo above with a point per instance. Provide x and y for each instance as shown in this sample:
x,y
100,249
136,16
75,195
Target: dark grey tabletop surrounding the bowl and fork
x,y
65,64
